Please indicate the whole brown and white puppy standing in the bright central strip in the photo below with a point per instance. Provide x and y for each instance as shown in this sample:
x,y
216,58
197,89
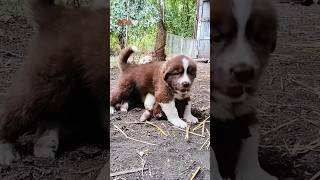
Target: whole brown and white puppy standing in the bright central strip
x,y
160,83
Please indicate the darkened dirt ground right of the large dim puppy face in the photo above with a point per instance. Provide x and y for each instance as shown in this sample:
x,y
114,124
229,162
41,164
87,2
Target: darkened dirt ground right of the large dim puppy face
x,y
289,100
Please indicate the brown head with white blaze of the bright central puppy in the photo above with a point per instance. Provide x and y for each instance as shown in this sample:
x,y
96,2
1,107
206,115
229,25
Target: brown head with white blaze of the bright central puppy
x,y
179,73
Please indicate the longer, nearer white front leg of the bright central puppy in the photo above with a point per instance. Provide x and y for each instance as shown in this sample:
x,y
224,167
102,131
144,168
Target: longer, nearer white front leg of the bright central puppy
x,y
172,114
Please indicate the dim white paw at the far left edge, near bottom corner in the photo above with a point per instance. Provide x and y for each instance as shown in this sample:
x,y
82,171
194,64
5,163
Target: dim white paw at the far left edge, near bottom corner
x,y
7,155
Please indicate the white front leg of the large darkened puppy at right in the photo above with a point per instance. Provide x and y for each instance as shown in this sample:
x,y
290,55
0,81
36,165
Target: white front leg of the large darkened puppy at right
x,y
248,167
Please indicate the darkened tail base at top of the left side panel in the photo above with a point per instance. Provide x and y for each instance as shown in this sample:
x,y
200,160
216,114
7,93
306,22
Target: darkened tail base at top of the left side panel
x,y
42,12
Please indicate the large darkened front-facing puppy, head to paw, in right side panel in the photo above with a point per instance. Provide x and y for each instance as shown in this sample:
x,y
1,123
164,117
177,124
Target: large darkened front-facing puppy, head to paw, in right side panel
x,y
244,35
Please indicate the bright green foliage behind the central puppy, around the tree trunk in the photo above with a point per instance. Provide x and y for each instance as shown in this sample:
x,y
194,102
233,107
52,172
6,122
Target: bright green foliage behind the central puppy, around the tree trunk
x,y
179,20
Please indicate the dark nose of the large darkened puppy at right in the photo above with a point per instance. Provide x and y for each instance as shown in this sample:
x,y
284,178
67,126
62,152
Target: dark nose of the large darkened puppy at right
x,y
242,73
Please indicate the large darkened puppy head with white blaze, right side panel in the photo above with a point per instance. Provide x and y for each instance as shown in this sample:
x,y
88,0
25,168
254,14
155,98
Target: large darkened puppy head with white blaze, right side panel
x,y
244,34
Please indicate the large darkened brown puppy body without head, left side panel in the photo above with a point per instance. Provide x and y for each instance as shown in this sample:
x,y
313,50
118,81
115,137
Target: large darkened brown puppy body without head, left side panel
x,y
61,87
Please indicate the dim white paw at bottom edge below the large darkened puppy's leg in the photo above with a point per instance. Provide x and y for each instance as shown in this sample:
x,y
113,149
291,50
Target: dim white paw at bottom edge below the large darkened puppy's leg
x,y
253,175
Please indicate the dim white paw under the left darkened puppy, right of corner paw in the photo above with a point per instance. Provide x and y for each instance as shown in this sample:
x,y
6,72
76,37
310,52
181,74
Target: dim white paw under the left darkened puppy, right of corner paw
x,y
47,144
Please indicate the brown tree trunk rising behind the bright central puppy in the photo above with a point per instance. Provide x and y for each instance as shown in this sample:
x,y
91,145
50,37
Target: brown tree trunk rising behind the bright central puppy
x,y
159,49
